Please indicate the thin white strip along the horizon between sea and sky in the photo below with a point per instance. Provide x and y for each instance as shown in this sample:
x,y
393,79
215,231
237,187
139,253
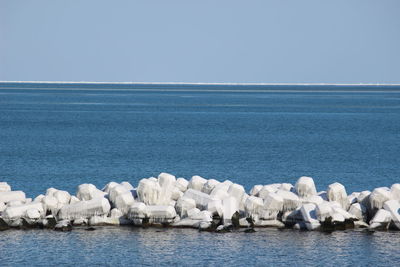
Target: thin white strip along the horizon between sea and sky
x,y
205,83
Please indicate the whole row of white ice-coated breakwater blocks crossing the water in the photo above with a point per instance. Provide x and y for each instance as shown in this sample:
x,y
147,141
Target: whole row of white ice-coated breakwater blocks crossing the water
x,y
206,204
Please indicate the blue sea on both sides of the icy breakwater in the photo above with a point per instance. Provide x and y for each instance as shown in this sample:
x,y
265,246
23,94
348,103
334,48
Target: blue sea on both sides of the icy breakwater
x,y
65,134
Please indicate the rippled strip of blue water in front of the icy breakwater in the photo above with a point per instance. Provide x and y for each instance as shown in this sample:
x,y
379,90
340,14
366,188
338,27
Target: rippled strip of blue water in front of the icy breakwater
x,y
164,246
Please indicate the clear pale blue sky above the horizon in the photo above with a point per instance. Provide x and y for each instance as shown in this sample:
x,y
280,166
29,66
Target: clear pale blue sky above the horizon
x,y
282,41
